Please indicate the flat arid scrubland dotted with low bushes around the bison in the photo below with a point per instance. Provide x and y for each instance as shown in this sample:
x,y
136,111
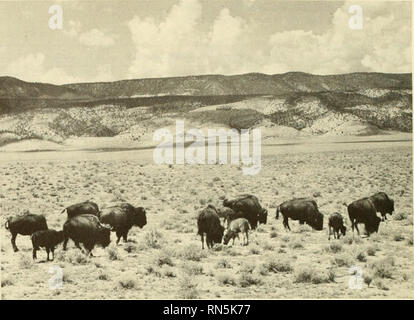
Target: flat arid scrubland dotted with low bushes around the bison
x,y
164,260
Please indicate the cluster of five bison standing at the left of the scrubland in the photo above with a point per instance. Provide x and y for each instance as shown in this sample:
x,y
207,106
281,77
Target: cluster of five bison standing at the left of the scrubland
x,y
85,225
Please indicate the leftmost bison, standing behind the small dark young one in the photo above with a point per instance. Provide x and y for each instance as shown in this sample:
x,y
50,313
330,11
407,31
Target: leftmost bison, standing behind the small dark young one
x,y
25,225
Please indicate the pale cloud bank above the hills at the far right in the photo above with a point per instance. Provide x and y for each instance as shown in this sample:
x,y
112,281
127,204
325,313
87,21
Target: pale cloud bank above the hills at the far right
x,y
383,45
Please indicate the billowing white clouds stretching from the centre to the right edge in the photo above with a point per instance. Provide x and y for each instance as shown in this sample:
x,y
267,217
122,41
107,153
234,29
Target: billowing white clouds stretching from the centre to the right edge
x,y
177,45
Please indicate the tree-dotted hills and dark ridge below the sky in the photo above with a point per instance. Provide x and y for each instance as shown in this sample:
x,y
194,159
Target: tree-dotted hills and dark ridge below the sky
x,y
291,104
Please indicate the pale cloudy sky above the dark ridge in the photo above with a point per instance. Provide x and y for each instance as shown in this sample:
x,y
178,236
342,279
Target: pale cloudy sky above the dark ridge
x,y
122,39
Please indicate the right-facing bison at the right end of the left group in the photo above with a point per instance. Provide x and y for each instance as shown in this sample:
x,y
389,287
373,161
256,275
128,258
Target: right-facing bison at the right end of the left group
x,y
122,217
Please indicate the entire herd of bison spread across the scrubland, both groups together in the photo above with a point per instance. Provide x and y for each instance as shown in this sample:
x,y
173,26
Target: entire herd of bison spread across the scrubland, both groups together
x,y
89,226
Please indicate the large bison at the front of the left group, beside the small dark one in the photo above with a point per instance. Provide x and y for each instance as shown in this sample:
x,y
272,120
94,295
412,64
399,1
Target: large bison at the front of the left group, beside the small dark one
x,y
88,230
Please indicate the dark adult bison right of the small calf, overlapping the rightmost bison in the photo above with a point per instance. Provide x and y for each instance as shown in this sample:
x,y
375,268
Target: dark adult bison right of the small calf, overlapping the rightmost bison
x,y
364,211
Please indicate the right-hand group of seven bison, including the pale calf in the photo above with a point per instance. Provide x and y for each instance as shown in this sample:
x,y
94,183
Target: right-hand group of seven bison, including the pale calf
x,y
245,213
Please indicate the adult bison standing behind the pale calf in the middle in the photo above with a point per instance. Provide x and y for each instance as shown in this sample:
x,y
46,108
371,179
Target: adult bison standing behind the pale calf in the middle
x,y
249,207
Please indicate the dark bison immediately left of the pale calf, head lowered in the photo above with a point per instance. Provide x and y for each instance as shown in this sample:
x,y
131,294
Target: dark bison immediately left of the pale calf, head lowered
x,y
208,223
